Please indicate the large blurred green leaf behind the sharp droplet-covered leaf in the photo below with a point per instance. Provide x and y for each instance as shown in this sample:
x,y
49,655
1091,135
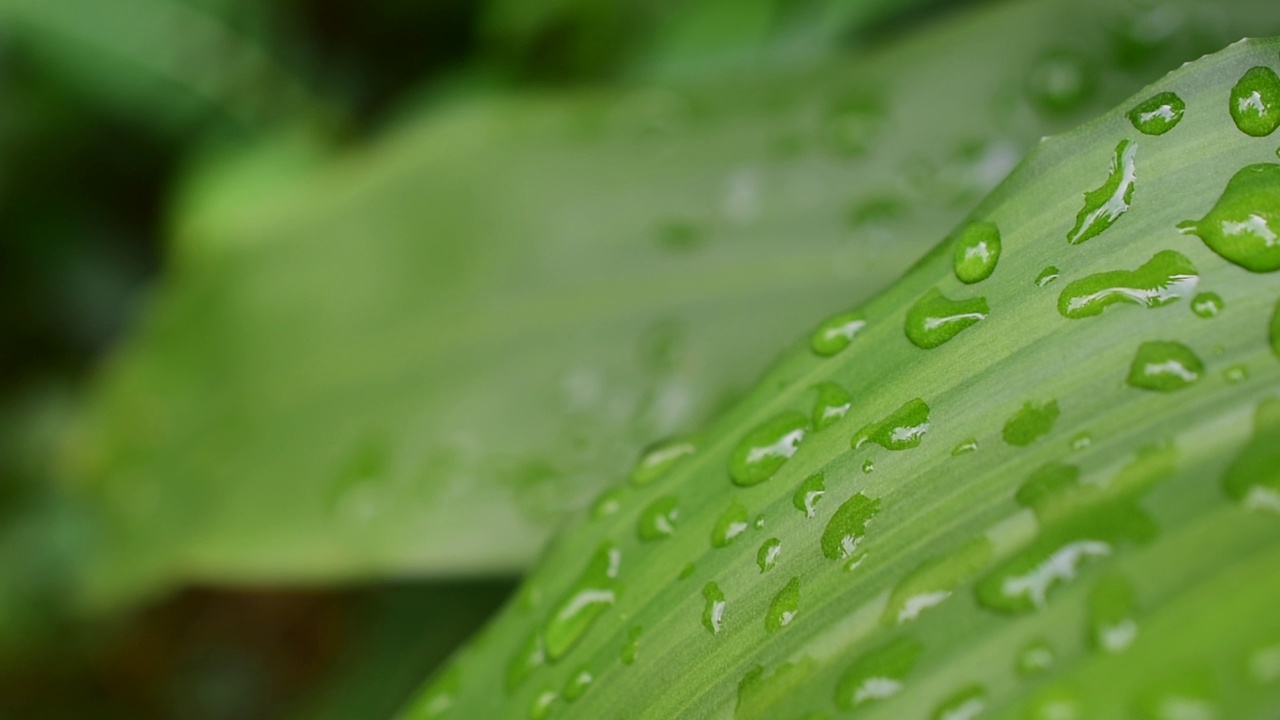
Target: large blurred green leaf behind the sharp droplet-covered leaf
x,y
422,359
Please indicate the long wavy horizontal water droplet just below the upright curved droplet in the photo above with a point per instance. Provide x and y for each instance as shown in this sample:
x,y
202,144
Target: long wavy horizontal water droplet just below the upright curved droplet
x,y
1160,281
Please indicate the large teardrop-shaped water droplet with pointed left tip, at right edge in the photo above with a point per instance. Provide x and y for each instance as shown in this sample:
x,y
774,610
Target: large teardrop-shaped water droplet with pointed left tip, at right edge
x,y
1245,225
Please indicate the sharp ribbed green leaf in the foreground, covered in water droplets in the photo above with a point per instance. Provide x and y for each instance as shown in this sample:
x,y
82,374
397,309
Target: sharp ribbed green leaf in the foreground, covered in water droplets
x,y
1031,532
